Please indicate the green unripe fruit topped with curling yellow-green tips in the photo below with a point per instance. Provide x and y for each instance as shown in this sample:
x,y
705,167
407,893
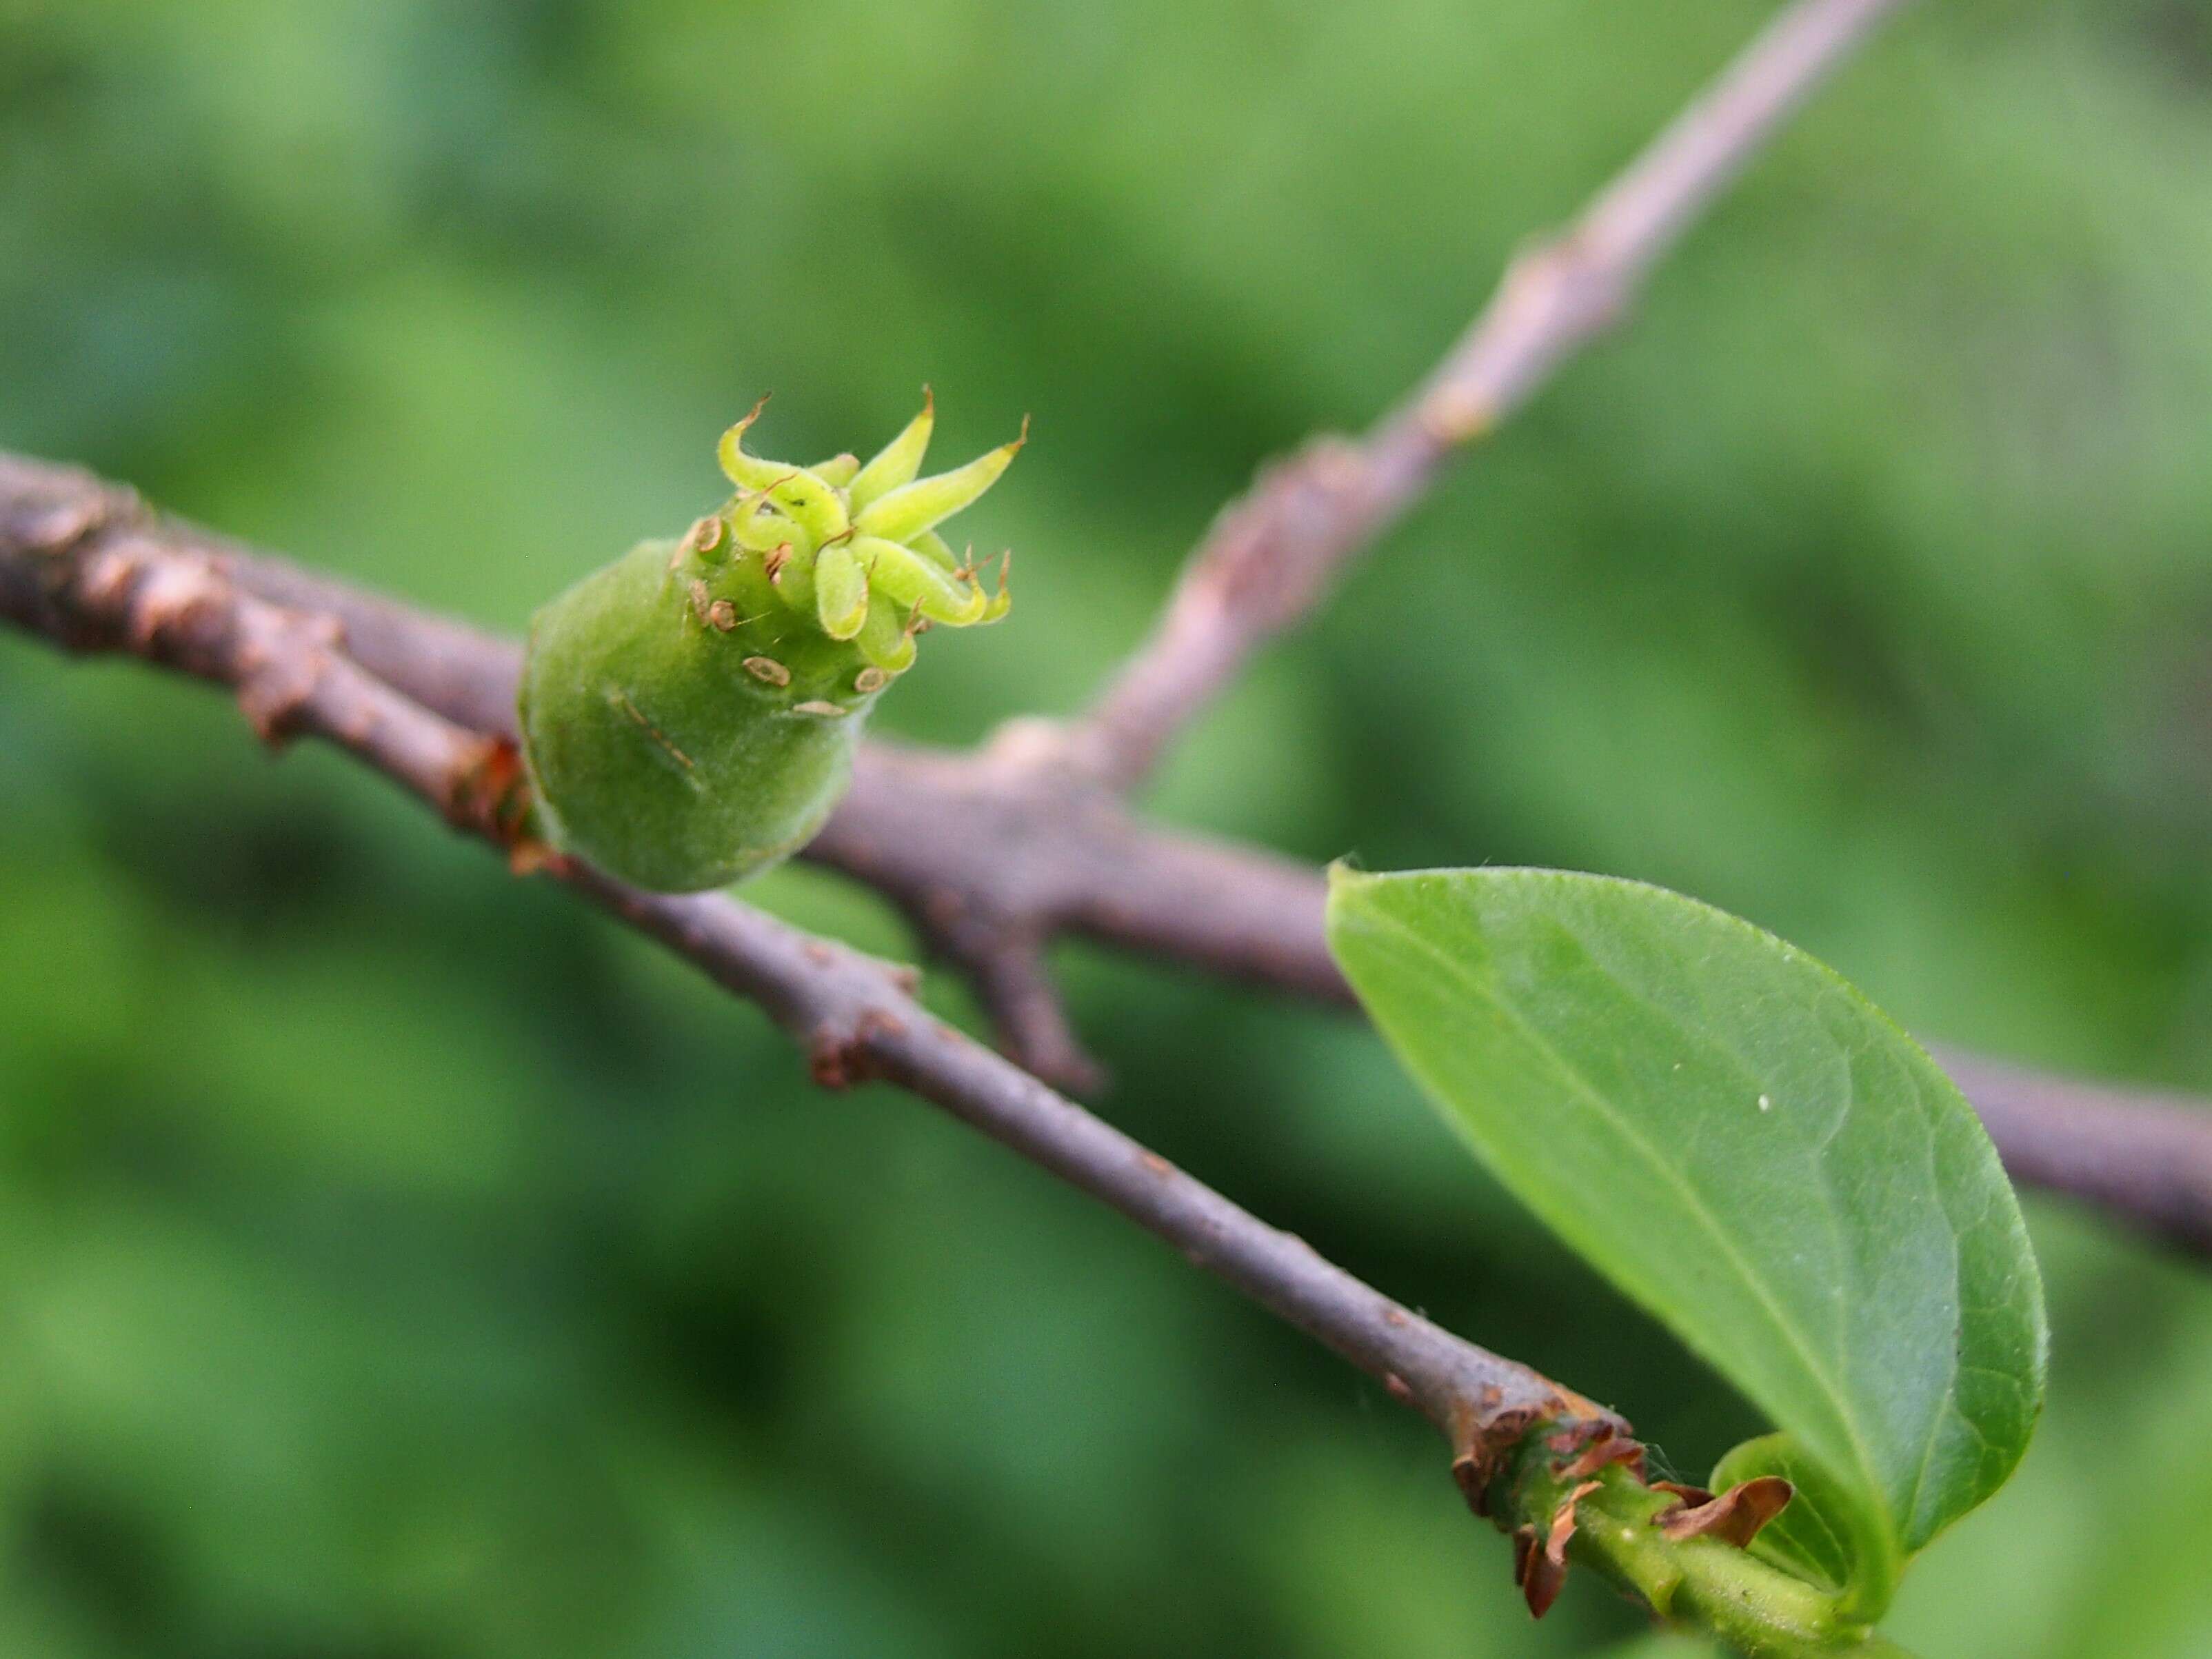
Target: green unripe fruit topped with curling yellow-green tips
x,y
689,713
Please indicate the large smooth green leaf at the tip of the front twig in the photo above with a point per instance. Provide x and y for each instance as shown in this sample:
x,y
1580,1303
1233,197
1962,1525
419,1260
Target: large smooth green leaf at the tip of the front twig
x,y
1749,1149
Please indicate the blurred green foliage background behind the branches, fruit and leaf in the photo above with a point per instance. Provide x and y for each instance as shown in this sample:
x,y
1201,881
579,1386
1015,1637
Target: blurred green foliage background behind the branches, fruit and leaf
x,y
397,1260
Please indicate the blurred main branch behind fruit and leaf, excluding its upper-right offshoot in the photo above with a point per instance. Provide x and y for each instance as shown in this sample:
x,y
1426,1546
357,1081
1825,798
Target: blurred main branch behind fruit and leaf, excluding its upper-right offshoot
x,y
999,846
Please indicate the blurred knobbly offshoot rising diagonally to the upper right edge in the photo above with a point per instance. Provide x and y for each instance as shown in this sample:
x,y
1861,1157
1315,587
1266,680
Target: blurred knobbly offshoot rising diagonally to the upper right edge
x,y
1273,556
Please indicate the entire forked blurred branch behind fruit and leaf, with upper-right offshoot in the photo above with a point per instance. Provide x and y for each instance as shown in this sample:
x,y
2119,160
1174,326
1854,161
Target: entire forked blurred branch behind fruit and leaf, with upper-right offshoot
x,y
999,853
